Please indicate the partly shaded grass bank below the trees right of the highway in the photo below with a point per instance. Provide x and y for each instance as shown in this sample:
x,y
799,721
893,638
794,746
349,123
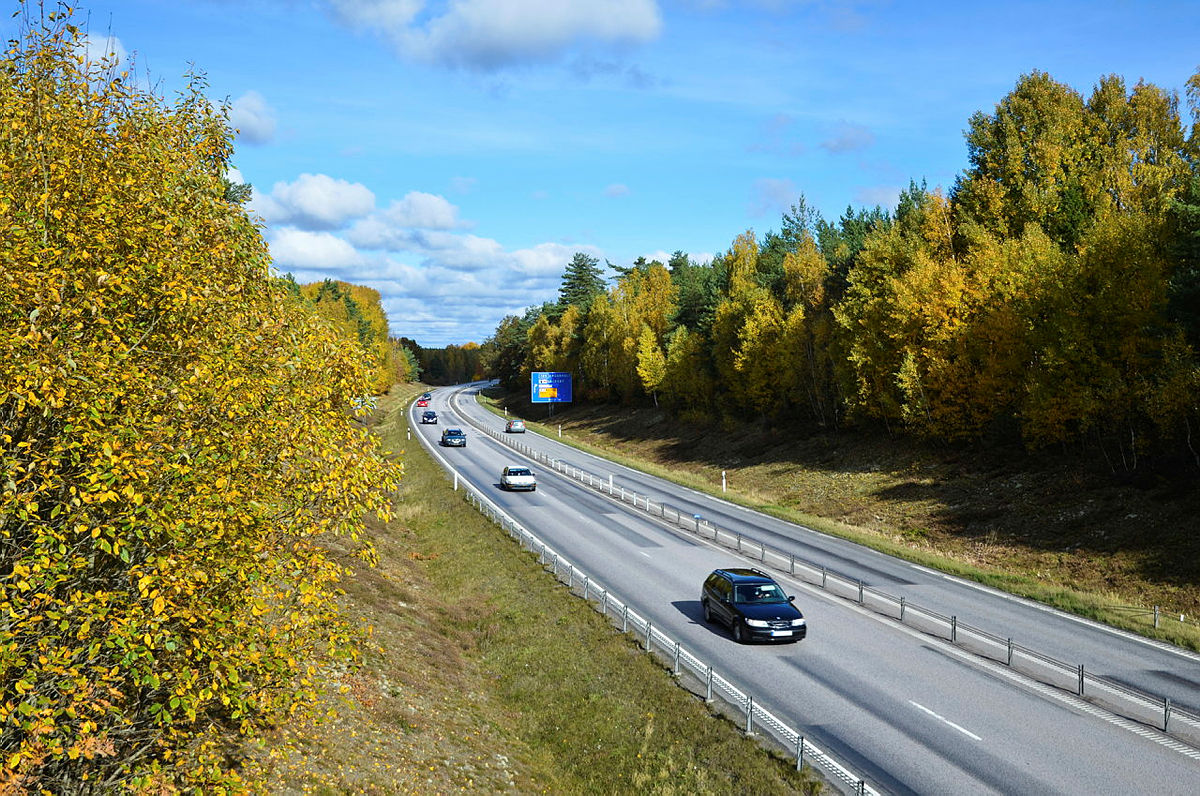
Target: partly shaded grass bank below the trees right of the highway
x,y
1055,529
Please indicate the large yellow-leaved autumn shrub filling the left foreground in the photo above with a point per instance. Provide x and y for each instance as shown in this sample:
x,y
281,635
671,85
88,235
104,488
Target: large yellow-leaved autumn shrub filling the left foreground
x,y
176,452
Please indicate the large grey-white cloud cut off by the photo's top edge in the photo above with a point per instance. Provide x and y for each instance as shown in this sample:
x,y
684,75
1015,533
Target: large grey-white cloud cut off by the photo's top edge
x,y
493,34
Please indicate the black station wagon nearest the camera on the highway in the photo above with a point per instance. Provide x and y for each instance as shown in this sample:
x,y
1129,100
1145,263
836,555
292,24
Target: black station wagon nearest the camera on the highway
x,y
753,606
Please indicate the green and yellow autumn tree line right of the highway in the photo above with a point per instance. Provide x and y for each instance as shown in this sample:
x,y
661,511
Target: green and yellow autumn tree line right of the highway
x,y
1052,295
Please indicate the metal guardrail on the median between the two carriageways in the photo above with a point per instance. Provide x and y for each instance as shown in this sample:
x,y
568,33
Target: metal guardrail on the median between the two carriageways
x,y
1124,701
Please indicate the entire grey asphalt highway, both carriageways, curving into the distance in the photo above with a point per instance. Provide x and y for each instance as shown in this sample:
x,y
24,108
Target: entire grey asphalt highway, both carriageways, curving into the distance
x,y
908,713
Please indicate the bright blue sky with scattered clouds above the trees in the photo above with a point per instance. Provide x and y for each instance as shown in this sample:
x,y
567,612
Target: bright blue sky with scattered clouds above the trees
x,y
455,154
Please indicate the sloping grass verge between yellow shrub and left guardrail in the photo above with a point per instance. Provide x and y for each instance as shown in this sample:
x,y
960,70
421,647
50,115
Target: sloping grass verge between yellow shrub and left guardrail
x,y
483,675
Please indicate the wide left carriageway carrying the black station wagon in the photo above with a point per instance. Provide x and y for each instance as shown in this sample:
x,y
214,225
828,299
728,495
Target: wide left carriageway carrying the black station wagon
x,y
853,685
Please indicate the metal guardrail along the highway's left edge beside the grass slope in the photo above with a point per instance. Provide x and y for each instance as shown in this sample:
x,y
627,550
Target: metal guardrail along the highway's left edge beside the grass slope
x,y
658,643
